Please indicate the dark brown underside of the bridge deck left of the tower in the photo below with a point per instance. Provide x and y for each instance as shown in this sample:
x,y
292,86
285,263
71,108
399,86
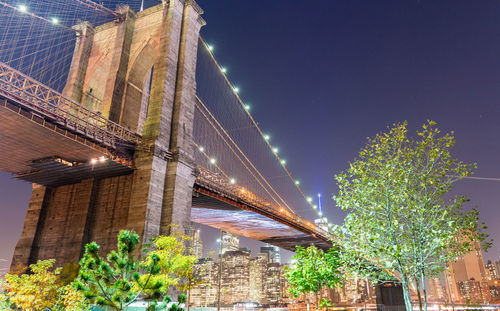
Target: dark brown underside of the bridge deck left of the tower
x,y
39,151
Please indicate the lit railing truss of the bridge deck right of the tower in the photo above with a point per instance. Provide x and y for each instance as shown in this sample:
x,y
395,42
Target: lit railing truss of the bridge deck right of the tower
x,y
223,185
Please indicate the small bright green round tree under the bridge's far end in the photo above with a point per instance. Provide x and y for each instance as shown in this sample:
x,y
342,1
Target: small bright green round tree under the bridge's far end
x,y
313,270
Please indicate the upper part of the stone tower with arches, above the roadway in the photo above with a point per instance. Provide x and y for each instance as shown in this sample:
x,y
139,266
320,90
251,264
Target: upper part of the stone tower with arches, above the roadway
x,y
139,70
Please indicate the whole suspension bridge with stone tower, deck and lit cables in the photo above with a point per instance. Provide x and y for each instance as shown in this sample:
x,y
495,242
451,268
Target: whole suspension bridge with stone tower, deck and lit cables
x,y
124,119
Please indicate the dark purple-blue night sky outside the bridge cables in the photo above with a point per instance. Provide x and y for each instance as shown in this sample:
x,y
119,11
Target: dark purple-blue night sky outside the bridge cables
x,y
324,75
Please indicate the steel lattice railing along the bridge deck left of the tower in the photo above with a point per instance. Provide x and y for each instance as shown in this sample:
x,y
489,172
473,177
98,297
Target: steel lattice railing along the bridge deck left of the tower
x,y
66,112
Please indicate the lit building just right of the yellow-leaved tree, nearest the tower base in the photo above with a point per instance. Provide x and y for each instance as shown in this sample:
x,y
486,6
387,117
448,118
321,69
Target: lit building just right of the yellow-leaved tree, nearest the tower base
x,y
204,293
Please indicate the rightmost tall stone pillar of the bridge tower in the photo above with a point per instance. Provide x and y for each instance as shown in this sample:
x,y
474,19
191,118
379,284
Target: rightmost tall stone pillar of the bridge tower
x,y
180,176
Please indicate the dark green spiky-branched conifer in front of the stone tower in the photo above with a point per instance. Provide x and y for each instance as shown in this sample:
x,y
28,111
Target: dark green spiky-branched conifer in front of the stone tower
x,y
117,281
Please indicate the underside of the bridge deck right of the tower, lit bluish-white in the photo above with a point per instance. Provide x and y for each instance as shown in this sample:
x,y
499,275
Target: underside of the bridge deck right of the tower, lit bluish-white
x,y
215,213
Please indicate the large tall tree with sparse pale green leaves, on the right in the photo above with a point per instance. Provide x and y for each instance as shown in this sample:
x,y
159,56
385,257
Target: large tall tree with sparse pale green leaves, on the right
x,y
400,217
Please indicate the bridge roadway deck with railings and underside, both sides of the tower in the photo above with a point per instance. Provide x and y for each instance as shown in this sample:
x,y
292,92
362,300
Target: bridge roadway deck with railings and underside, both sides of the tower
x,y
48,139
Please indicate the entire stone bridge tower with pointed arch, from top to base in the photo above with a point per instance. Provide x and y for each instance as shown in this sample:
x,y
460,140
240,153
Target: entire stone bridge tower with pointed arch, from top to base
x,y
138,71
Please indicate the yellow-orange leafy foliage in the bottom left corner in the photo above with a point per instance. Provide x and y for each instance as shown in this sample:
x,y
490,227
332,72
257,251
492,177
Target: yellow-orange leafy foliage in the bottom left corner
x,y
39,290
